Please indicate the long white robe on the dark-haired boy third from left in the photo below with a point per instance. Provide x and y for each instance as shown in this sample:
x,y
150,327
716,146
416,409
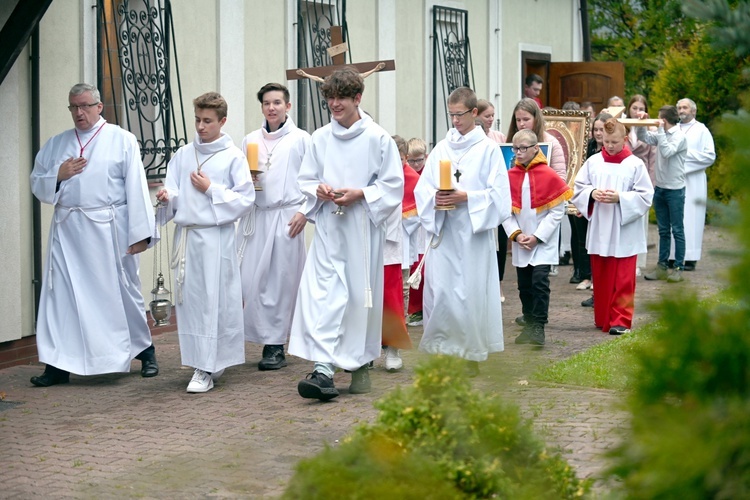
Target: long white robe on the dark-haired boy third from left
x,y
271,262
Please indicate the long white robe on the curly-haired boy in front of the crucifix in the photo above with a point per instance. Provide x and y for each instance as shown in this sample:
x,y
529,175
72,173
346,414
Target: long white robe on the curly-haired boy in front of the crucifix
x,y
344,266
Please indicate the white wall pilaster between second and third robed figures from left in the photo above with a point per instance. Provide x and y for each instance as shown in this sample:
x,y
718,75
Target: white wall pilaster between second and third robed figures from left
x,y
230,65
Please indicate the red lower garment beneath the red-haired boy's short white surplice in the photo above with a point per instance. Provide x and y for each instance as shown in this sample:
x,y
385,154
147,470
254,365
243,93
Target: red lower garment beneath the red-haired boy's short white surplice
x,y
614,291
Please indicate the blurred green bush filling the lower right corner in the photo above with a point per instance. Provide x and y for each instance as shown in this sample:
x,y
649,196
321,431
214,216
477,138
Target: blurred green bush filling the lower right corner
x,y
691,391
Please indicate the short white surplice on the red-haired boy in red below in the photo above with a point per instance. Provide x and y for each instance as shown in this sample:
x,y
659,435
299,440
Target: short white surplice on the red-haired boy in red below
x,y
615,229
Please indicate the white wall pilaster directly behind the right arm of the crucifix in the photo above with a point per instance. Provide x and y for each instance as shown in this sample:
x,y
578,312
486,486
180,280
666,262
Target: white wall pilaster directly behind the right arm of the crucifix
x,y
387,104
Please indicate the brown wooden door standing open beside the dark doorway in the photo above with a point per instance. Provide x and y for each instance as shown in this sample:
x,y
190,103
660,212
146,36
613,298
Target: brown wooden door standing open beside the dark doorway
x,y
586,81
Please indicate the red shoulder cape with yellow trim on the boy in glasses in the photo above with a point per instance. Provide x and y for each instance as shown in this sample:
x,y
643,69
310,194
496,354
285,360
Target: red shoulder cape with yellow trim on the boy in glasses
x,y
547,188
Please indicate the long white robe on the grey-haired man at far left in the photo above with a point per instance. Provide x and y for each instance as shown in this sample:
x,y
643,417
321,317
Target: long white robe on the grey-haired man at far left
x,y
92,315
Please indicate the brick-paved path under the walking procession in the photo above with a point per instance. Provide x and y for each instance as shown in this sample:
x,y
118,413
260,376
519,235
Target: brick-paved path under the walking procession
x,y
122,436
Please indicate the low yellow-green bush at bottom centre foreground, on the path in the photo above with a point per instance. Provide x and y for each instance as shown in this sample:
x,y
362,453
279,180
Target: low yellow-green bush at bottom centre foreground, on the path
x,y
439,439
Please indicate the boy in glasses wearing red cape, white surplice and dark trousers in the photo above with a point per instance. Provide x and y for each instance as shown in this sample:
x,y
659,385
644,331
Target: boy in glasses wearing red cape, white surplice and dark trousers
x,y
538,196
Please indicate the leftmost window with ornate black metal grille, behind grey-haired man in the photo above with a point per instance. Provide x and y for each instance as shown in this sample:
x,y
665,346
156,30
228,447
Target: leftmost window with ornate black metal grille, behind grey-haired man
x,y
136,73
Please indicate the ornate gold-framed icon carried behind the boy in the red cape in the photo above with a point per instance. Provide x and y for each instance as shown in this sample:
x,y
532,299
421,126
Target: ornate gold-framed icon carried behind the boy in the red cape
x,y
571,129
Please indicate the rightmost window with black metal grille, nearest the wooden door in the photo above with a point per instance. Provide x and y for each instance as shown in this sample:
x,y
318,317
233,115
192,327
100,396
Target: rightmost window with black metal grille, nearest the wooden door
x,y
451,63
